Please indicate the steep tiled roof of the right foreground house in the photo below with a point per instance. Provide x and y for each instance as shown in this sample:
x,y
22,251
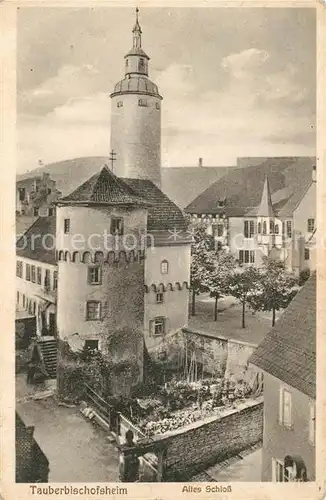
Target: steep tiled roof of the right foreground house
x,y
288,352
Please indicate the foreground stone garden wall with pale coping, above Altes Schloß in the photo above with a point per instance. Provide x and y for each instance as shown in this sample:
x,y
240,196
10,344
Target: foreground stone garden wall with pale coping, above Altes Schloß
x,y
193,448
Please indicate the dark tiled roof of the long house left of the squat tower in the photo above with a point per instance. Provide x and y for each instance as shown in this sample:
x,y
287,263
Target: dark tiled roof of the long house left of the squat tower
x,y
38,242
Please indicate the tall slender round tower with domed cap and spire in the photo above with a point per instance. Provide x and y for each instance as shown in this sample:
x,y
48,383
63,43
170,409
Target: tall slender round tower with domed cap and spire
x,y
136,118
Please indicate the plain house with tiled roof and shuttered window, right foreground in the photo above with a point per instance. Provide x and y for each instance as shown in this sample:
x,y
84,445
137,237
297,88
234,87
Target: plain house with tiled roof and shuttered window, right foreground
x,y
287,357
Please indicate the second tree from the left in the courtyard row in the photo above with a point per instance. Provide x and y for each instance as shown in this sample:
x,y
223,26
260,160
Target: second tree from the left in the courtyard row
x,y
220,265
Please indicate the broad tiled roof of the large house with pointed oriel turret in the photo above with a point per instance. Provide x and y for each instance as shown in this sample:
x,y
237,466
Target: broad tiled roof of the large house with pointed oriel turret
x,y
242,187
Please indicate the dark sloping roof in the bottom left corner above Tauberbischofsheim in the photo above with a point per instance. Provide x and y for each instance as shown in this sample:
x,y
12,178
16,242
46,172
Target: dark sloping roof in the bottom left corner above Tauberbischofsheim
x,y
32,466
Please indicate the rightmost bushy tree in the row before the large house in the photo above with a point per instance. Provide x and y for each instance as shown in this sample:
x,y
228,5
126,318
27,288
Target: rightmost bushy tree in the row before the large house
x,y
275,290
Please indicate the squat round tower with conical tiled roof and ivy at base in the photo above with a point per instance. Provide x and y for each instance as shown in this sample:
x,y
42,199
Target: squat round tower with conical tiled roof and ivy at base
x,y
100,300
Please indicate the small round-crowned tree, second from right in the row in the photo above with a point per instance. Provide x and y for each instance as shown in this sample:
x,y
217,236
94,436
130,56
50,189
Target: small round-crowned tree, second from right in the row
x,y
241,284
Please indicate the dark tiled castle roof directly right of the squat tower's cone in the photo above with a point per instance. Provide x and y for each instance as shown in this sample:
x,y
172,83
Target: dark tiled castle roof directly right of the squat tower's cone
x,y
163,214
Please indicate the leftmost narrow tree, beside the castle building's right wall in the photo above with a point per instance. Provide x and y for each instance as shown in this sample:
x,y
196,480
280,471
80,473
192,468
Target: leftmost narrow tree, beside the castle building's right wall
x,y
201,247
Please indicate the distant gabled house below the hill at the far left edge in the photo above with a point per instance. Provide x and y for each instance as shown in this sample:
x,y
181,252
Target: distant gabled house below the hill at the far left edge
x,y
35,196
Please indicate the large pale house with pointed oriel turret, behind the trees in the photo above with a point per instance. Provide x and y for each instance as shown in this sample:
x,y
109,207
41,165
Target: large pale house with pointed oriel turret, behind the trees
x,y
266,209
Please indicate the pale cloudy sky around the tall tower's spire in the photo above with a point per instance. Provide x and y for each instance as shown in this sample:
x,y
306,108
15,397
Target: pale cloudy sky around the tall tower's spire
x,y
235,81
